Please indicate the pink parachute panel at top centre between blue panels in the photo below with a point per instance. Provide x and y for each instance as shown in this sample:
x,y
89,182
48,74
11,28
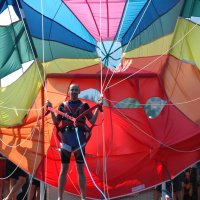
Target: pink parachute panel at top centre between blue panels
x,y
88,13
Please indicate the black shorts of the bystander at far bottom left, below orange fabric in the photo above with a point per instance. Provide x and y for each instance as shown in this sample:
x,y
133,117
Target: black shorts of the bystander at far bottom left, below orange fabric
x,y
10,167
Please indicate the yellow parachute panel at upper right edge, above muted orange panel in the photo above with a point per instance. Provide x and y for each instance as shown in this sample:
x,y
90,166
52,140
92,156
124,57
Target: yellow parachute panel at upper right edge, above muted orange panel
x,y
187,37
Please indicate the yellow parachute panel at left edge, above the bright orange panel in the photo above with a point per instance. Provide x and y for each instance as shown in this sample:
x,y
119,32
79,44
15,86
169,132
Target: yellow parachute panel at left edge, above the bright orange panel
x,y
19,95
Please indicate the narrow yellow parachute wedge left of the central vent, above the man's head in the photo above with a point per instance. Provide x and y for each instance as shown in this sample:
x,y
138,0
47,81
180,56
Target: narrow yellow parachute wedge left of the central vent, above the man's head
x,y
64,65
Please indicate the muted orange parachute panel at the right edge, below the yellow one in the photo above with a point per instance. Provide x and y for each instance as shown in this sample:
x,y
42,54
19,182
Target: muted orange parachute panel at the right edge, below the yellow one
x,y
181,82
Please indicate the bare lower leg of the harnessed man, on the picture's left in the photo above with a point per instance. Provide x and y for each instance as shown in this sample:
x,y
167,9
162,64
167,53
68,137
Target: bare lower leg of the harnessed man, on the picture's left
x,y
62,180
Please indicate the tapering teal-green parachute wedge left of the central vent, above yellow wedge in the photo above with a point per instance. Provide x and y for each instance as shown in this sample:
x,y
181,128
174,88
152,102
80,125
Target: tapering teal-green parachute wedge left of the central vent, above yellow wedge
x,y
53,50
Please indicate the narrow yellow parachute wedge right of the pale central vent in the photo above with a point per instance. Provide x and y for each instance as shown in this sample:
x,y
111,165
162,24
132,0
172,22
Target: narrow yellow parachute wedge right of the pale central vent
x,y
157,47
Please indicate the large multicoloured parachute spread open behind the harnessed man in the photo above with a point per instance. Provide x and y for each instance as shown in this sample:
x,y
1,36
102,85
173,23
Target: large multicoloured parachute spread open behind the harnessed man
x,y
126,50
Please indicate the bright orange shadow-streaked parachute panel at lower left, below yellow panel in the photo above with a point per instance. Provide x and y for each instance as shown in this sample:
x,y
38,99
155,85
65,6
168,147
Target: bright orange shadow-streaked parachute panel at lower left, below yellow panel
x,y
33,148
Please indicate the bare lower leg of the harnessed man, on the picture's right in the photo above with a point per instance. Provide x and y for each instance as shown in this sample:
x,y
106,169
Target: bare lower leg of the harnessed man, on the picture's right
x,y
81,179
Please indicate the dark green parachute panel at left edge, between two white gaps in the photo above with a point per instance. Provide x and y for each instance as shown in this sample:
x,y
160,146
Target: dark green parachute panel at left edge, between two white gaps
x,y
14,48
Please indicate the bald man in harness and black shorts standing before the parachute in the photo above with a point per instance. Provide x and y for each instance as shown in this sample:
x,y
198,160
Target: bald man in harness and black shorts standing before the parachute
x,y
73,107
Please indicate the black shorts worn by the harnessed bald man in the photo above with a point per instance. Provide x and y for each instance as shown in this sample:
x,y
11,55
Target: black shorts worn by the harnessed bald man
x,y
66,155
